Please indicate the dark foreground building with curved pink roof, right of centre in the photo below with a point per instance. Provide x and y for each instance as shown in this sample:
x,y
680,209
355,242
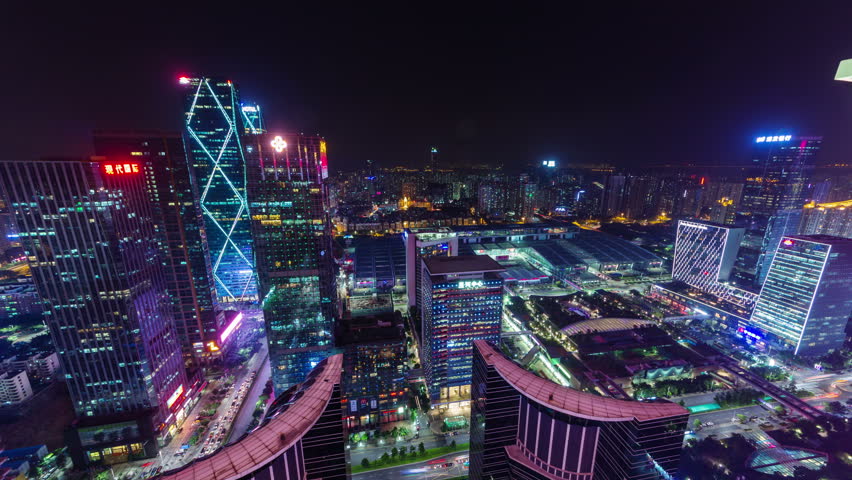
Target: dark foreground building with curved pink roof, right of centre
x,y
524,426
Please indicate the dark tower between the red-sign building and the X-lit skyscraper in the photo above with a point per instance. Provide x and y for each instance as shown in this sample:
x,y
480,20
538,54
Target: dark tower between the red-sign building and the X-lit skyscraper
x,y
181,233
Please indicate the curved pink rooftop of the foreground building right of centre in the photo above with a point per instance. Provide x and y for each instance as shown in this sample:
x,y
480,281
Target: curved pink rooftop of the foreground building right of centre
x,y
570,401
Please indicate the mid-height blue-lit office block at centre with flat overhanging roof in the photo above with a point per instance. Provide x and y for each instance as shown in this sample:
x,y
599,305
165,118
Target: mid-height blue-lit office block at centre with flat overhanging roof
x,y
462,302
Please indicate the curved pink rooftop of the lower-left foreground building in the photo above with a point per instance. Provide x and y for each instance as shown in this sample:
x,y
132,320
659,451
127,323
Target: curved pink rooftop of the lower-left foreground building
x,y
262,446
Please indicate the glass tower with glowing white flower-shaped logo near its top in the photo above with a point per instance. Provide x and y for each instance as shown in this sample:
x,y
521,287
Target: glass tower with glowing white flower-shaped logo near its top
x,y
292,241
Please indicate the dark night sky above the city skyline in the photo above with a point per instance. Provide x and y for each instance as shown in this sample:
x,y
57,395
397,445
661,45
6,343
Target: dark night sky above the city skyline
x,y
652,84
